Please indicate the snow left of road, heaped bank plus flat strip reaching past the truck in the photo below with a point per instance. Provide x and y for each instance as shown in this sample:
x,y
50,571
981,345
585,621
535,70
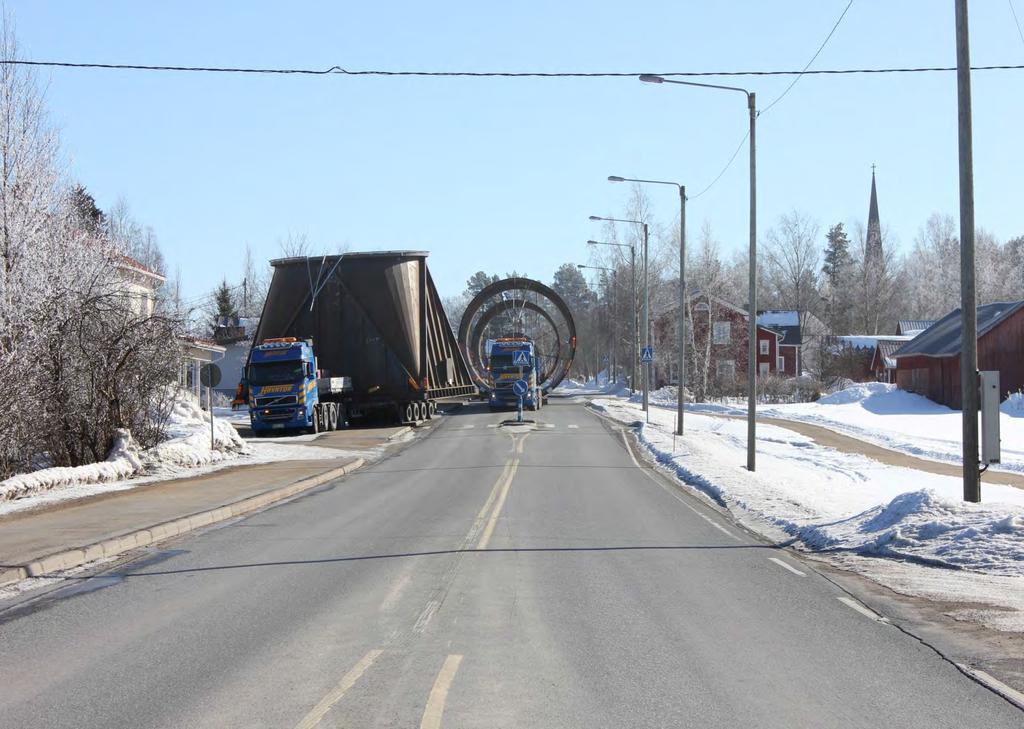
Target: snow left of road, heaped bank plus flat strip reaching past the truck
x,y
186,452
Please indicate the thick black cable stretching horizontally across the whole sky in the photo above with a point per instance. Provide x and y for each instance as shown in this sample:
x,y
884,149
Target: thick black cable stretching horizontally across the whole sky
x,y
338,71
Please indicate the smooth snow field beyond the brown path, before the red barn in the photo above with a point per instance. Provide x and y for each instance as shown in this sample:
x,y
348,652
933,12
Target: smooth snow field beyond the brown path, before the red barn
x,y
889,417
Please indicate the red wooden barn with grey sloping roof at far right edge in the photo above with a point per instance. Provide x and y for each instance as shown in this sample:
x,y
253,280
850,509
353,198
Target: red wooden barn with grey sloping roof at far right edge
x,y
930,364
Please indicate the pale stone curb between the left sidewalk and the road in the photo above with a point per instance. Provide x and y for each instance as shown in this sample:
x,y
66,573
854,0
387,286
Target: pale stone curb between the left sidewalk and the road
x,y
143,538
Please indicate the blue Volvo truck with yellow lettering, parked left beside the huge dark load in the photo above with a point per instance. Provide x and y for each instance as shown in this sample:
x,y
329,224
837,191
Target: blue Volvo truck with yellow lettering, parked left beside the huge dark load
x,y
286,393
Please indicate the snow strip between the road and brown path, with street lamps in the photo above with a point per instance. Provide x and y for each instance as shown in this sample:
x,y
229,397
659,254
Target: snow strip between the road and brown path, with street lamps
x,y
852,510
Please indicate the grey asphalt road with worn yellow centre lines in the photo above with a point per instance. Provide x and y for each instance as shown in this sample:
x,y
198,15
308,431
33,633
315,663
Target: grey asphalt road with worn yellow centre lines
x,y
479,578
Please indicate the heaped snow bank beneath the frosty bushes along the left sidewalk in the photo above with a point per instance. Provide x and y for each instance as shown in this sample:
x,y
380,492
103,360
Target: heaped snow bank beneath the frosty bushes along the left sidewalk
x,y
188,447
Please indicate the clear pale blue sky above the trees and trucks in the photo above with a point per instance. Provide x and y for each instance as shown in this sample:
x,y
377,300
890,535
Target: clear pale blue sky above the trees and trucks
x,y
502,175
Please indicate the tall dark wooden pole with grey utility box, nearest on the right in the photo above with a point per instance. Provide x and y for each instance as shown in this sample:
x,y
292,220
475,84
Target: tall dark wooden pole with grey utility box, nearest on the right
x,y
969,308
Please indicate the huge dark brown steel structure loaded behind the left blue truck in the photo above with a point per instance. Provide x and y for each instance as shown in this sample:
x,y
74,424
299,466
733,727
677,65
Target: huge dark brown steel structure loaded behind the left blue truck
x,y
375,319
